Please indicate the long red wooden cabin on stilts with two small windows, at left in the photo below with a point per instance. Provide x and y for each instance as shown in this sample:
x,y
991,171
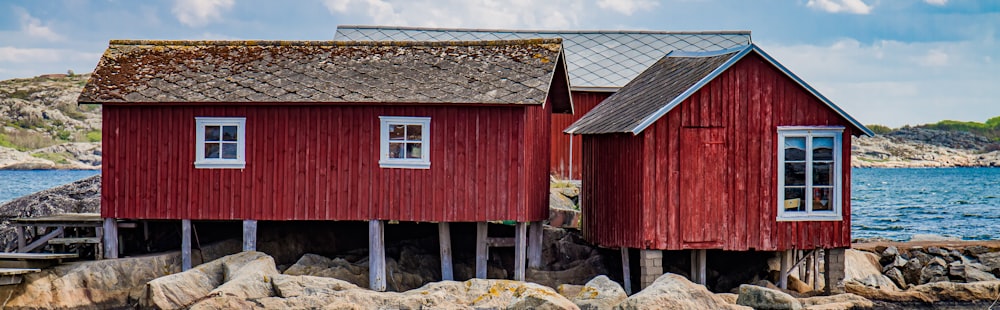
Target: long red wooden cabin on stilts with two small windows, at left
x,y
337,131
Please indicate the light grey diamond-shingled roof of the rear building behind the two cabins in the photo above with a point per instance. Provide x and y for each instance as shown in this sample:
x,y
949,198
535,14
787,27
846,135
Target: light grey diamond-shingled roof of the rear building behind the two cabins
x,y
597,59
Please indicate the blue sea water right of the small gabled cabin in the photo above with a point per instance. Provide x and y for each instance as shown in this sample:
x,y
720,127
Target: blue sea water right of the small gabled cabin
x,y
900,202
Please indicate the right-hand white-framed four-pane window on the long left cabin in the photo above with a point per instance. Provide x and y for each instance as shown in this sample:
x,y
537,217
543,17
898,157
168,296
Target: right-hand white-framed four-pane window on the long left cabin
x,y
405,142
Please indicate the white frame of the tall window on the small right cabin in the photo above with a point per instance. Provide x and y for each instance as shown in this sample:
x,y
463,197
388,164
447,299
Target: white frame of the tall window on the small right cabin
x,y
836,214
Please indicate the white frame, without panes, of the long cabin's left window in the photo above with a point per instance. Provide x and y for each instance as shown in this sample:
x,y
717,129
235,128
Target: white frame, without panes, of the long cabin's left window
x,y
201,162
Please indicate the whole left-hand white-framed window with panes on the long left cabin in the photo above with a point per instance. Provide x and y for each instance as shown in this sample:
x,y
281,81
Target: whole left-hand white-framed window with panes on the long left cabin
x,y
221,142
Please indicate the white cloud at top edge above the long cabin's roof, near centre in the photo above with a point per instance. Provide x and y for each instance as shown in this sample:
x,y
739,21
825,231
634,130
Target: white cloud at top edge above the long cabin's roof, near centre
x,y
459,13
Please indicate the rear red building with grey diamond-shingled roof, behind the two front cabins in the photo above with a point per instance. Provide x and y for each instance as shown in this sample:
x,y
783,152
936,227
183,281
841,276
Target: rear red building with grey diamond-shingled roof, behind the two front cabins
x,y
599,63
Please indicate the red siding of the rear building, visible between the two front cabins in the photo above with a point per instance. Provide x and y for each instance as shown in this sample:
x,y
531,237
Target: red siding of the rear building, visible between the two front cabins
x,y
562,161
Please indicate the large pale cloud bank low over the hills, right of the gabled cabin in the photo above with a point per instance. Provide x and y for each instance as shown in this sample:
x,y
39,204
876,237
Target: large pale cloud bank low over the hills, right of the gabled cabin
x,y
896,83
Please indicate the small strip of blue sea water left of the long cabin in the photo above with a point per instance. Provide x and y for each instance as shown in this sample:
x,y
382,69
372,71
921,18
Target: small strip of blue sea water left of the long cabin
x,y
17,183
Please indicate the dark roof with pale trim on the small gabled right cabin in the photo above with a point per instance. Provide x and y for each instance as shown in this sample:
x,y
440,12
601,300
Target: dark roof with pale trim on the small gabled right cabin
x,y
667,83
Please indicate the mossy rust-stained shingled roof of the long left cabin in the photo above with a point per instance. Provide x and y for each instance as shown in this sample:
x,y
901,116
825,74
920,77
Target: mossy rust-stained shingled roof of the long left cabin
x,y
492,72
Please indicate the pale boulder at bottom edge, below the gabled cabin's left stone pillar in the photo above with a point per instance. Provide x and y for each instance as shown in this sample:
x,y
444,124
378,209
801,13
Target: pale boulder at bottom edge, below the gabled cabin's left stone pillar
x,y
672,291
